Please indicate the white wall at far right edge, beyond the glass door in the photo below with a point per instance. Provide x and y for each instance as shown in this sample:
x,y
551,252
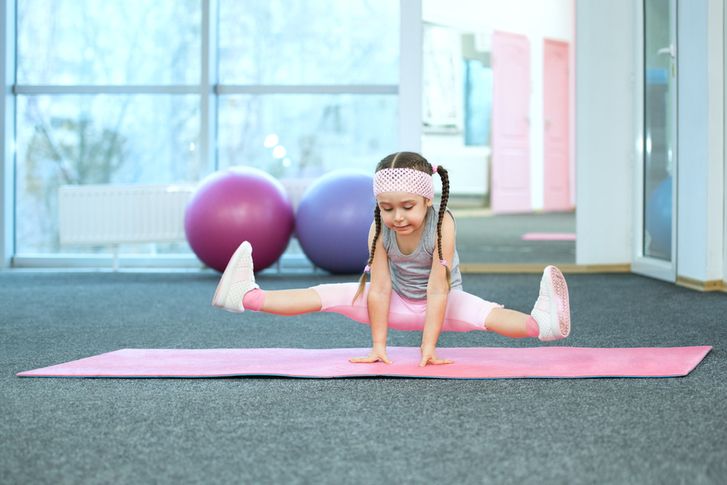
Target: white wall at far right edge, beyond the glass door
x,y
700,202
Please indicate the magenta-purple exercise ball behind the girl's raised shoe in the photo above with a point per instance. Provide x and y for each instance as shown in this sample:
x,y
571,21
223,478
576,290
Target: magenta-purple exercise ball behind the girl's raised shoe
x,y
235,205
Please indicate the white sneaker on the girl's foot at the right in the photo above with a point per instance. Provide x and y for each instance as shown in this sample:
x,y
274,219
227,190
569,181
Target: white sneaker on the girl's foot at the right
x,y
551,309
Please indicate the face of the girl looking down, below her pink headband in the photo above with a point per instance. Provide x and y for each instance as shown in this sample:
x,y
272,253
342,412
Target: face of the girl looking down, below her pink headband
x,y
403,212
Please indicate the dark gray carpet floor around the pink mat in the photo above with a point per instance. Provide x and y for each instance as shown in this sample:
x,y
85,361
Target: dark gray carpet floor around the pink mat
x,y
362,430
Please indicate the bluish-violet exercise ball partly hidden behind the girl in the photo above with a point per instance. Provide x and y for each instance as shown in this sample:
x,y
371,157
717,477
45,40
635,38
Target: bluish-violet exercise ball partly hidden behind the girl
x,y
333,220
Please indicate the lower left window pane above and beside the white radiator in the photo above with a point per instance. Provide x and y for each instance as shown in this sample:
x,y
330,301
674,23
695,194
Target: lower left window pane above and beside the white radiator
x,y
95,140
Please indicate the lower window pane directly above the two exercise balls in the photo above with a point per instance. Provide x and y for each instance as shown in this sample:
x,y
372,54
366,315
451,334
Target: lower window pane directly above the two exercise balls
x,y
306,135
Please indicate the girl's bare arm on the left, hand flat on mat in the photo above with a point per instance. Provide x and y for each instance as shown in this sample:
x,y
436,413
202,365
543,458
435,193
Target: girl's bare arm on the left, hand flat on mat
x,y
378,300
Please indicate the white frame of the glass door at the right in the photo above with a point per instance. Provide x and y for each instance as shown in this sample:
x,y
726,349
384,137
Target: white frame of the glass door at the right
x,y
642,264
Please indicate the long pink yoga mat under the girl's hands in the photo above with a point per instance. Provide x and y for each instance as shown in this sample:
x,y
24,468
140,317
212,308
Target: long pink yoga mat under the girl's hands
x,y
470,363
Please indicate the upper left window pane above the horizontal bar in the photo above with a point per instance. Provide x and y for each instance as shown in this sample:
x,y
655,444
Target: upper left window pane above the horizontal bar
x,y
68,42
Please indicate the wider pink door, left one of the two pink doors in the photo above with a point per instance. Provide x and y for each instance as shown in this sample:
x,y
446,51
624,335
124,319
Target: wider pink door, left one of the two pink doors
x,y
510,123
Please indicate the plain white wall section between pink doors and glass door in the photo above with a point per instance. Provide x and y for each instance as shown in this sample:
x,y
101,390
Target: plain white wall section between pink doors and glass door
x,y
605,130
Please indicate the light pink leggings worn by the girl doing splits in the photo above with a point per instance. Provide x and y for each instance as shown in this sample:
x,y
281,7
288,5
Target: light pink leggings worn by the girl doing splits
x,y
465,312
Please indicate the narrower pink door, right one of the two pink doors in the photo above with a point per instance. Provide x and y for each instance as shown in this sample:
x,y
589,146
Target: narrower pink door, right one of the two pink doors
x,y
556,126
